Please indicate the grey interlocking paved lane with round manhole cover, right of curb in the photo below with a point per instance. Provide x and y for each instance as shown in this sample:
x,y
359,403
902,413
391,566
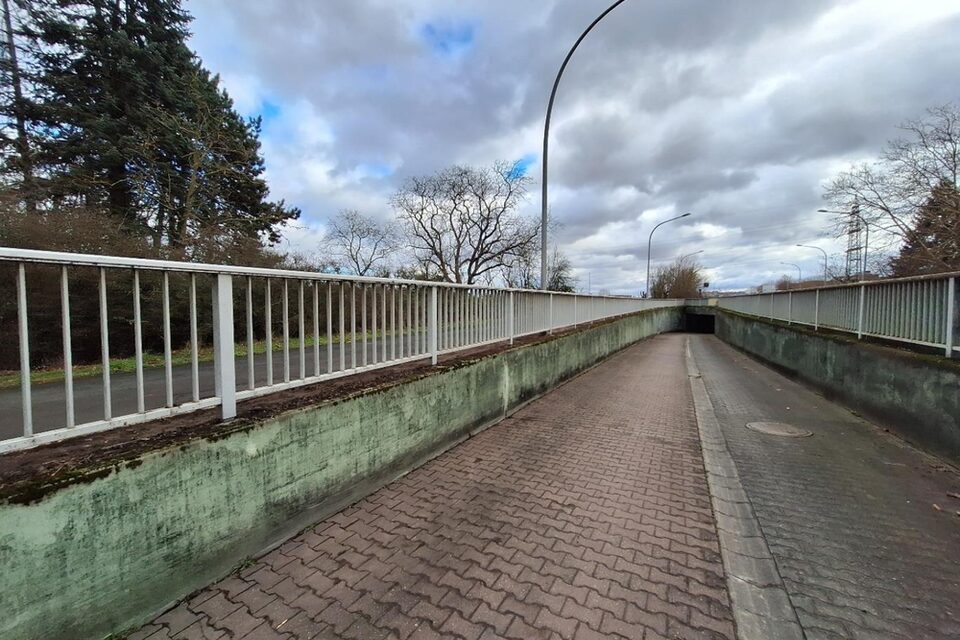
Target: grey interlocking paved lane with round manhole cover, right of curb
x,y
848,514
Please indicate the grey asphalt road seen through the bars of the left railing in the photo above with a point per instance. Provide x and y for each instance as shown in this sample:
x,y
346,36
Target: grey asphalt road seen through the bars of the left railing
x,y
49,399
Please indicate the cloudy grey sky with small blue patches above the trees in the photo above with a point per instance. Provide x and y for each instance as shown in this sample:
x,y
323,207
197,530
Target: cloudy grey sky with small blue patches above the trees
x,y
737,111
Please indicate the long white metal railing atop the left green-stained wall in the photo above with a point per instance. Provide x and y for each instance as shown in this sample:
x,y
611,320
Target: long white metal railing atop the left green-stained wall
x,y
330,326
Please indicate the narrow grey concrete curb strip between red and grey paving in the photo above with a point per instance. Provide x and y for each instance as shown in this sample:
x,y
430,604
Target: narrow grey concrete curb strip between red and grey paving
x,y
761,607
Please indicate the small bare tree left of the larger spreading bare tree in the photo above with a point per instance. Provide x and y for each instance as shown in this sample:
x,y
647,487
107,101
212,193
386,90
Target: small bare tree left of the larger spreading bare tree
x,y
363,244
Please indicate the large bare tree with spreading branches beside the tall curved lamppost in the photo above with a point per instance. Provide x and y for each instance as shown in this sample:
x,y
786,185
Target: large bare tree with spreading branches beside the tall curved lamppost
x,y
463,221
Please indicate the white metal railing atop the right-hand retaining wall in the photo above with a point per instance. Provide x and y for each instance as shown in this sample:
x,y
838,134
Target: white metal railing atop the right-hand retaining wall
x,y
922,310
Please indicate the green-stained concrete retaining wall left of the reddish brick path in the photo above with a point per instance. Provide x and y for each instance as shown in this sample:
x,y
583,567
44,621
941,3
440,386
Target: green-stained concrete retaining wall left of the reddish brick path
x,y
108,553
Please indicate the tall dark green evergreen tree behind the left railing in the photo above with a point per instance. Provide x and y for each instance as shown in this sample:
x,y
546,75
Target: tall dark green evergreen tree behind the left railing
x,y
127,120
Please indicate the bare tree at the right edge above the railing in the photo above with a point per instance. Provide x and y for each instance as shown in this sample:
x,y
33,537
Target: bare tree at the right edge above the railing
x,y
893,190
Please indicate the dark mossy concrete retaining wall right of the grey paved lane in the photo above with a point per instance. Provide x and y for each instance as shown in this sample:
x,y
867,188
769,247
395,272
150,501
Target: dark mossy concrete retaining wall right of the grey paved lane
x,y
914,395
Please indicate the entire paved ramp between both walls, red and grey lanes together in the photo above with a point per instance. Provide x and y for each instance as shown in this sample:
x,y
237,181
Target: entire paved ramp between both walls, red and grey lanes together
x,y
590,514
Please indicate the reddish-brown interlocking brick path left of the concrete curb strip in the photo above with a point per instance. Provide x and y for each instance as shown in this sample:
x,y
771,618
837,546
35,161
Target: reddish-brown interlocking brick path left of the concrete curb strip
x,y
585,515
